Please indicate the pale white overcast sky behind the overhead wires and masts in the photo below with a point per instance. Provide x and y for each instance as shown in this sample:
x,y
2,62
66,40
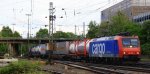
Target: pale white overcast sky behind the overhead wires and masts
x,y
75,13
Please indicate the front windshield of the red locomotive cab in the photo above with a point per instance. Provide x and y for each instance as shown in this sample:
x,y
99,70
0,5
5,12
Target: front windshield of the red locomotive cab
x,y
130,42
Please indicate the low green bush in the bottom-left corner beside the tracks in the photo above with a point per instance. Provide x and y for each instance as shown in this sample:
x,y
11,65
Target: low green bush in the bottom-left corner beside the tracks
x,y
21,67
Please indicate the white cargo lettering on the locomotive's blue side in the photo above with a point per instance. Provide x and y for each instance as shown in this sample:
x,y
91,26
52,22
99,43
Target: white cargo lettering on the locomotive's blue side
x,y
98,49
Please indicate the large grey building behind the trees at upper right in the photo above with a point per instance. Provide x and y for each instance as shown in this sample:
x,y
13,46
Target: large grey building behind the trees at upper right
x,y
136,10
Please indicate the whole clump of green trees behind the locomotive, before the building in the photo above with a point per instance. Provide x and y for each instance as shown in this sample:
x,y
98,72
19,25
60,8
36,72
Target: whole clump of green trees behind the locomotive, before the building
x,y
118,23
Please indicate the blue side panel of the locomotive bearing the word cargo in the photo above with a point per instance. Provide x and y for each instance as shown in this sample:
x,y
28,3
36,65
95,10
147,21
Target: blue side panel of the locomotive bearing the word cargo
x,y
107,48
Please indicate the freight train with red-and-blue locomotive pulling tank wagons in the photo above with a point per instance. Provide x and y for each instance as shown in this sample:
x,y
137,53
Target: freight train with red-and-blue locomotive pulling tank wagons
x,y
107,49
